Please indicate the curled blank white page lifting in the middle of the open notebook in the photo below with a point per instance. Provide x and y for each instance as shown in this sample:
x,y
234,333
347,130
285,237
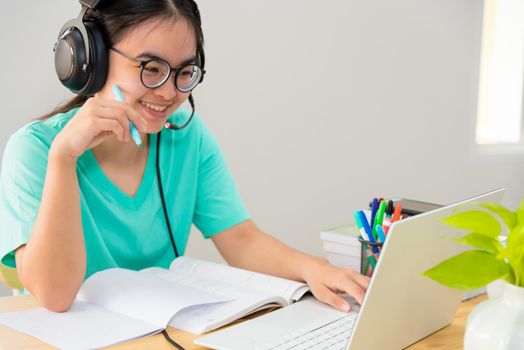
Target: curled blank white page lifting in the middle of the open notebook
x,y
141,296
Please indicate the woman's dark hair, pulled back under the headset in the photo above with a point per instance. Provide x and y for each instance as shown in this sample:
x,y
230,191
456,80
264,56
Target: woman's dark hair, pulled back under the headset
x,y
117,18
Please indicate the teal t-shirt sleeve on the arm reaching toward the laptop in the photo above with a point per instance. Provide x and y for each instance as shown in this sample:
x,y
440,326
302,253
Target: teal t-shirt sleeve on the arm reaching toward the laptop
x,y
218,203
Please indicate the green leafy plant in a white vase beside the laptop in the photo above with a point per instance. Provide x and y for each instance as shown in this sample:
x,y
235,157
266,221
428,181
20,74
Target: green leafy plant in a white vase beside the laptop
x,y
497,323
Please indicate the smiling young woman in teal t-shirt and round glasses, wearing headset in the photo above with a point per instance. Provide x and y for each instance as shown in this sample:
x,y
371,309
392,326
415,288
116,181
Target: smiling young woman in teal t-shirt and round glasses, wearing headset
x,y
78,196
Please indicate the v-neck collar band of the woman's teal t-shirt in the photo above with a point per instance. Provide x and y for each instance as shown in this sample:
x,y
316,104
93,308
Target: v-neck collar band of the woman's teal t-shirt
x,y
98,177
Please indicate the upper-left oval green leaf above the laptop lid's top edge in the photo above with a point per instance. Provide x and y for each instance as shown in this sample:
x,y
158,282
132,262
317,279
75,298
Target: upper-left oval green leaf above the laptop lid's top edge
x,y
475,220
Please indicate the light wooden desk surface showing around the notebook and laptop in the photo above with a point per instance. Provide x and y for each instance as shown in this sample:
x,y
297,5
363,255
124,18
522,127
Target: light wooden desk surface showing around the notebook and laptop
x,y
449,338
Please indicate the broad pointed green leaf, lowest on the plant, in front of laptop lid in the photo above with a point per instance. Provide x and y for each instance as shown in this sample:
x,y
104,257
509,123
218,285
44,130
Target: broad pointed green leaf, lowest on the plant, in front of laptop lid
x,y
470,270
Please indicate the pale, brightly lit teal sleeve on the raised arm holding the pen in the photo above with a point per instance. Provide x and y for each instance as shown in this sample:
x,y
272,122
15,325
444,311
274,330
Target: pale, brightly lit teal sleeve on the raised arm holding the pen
x,y
24,165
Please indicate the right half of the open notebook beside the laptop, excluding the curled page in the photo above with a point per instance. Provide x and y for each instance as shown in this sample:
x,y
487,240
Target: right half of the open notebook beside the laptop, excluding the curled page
x,y
247,291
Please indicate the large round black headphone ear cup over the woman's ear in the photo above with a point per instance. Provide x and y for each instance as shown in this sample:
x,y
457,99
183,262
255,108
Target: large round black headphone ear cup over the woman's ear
x,y
81,53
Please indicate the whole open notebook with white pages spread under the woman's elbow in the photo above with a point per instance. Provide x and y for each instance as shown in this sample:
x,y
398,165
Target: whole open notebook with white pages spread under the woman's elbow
x,y
117,305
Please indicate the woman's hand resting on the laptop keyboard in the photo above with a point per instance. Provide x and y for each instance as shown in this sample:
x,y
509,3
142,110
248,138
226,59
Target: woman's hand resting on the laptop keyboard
x,y
326,280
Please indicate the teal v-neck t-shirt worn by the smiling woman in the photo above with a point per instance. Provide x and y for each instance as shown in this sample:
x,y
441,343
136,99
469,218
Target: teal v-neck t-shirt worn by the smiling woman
x,y
120,230
